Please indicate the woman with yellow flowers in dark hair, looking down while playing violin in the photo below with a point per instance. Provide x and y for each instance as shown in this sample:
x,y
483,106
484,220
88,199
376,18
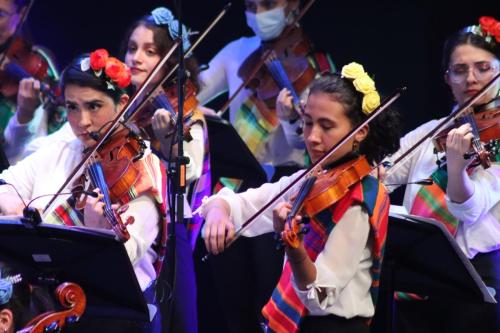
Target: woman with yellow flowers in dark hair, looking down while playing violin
x,y
325,285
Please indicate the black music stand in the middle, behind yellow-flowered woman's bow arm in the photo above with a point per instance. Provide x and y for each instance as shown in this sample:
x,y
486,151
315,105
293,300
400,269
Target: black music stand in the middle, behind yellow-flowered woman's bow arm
x,y
230,156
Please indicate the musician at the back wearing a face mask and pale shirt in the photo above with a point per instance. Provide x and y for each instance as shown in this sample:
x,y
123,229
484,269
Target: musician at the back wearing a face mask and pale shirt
x,y
271,135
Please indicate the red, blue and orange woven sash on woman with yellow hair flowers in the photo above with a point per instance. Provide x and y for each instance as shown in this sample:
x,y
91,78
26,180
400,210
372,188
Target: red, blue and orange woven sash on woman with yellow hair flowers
x,y
284,311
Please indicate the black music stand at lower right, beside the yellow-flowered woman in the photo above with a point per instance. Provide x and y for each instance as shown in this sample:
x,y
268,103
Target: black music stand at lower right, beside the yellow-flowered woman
x,y
422,257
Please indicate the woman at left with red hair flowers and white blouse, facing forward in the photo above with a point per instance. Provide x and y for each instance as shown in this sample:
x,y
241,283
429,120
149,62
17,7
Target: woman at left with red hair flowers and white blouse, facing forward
x,y
93,88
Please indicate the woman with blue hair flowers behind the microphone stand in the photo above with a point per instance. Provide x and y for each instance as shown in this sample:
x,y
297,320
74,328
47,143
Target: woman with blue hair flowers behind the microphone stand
x,y
146,42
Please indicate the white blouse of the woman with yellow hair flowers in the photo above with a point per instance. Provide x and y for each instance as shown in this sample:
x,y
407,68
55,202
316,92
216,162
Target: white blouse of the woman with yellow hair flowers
x,y
343,267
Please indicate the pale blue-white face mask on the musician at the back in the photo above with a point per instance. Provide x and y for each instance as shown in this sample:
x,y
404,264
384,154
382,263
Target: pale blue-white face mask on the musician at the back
x,y
267,25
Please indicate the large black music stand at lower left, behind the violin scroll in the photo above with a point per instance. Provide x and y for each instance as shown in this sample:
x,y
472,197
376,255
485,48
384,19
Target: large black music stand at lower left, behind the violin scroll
x,y
89,257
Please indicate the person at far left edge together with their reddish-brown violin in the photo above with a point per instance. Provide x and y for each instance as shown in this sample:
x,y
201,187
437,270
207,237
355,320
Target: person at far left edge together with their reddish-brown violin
x,y
23,68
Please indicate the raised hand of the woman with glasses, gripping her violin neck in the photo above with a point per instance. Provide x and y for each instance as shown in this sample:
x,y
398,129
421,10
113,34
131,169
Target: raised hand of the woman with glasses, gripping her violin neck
x,y
458,143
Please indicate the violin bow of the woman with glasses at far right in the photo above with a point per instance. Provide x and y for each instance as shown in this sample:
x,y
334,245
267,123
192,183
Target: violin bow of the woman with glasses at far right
x,y
401,160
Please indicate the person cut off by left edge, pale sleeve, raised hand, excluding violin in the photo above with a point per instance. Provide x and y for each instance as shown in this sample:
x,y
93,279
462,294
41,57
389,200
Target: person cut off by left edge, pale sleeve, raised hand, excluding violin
x,y
31,119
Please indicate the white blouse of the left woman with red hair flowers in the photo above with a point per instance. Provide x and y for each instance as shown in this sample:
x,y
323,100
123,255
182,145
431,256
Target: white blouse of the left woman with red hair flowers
x,y
44,171
